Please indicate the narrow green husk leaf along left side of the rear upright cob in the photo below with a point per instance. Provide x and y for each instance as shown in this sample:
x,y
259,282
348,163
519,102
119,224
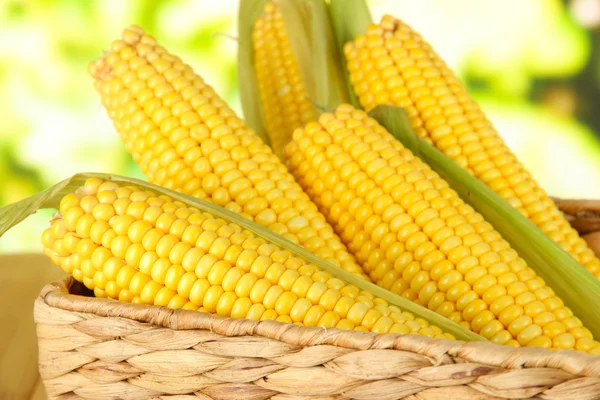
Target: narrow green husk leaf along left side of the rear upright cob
x,y
249,11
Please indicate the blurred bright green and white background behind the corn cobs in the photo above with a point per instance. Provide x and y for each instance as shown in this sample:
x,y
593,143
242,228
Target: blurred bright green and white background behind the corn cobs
x,y
534,66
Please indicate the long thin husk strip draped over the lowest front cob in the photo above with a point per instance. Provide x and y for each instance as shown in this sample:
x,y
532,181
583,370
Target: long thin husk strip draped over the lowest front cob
x,y
50,198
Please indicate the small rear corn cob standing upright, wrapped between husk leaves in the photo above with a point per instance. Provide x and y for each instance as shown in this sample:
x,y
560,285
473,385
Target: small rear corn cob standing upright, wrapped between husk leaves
x,y
283,96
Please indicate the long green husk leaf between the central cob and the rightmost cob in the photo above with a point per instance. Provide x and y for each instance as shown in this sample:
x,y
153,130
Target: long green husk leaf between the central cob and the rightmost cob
x,y
578,288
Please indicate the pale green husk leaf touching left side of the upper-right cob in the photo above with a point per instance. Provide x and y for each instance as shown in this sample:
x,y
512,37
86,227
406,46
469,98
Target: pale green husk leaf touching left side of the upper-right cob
x,y
350,18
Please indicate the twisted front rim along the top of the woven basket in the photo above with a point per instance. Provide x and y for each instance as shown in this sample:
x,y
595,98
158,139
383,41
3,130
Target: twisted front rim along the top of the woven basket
x,y
58,295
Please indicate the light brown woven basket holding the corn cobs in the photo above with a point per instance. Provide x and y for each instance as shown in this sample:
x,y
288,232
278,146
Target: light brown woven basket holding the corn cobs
x,y
102,349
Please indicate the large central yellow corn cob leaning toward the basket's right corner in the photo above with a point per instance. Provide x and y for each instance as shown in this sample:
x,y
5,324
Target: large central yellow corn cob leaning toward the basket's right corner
x,y
417,238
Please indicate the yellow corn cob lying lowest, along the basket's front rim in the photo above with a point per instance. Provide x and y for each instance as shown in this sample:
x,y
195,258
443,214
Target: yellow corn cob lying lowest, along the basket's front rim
x,y
133,245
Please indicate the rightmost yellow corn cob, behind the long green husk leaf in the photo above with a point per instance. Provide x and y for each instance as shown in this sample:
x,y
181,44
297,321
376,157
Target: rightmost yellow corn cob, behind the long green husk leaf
x,y
392,64
